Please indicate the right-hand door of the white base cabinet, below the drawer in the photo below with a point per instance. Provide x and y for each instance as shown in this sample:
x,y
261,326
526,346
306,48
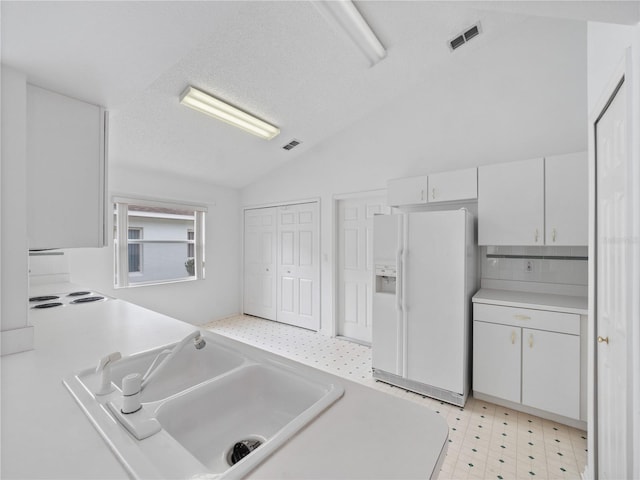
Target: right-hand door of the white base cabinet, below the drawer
x,y
551,372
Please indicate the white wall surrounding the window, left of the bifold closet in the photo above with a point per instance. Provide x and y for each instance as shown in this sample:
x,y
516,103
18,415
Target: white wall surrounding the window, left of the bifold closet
x,y
196,302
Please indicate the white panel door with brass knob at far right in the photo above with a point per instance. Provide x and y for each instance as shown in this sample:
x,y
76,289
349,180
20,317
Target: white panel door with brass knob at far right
x,y
614,292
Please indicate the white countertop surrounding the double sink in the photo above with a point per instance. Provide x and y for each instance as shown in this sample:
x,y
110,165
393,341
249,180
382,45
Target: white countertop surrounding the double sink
x,y
366,434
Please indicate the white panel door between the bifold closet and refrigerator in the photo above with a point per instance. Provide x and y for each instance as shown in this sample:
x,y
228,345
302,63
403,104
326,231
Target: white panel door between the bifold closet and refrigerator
x,y
355,265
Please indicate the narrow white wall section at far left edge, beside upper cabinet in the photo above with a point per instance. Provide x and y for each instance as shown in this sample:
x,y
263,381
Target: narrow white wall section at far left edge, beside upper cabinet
x,y
16,334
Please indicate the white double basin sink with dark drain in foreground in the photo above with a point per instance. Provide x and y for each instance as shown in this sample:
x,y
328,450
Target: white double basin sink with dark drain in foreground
x,y
206,403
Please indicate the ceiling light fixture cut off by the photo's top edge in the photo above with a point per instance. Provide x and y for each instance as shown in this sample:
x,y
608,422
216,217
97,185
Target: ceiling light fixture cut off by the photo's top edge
x,y
345,14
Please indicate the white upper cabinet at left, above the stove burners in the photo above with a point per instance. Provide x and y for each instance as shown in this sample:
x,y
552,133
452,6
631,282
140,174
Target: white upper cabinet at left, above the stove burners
x,y
66,171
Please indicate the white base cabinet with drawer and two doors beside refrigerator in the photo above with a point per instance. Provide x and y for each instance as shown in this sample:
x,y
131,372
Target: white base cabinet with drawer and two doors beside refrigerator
x,y
528,357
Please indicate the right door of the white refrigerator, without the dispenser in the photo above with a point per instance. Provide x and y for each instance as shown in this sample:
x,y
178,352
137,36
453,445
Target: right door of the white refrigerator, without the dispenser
x,y
434,299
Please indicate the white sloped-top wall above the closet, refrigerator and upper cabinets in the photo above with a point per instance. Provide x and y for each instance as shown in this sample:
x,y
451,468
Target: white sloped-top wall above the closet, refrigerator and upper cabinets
x,y
453,120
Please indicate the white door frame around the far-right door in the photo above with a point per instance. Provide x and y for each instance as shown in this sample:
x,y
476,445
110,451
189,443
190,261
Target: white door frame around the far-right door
x,y
627,71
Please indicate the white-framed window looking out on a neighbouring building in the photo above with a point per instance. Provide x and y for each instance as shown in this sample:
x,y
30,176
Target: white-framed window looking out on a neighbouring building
x,y
157,242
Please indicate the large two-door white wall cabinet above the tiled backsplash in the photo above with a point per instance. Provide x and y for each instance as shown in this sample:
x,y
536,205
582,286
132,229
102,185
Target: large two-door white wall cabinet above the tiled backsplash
x,y
534,202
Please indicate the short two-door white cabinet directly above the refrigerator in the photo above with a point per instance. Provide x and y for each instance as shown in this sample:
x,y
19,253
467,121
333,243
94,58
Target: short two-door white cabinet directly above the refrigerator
x,y
457,185
